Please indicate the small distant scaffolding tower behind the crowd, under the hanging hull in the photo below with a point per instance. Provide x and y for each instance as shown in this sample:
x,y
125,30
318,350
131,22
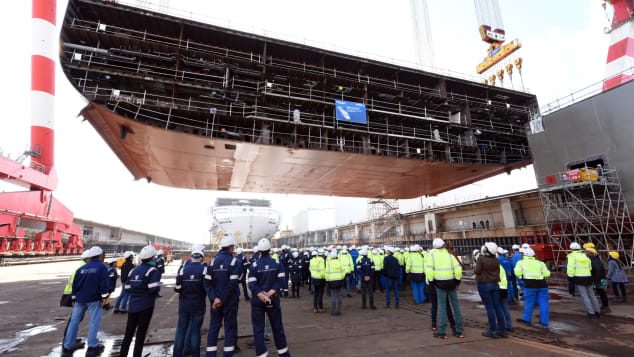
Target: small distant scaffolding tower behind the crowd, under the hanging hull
x,y
385,220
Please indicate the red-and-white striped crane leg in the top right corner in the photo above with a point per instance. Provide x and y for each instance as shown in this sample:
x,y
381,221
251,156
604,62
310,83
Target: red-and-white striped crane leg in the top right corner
x,y
621,51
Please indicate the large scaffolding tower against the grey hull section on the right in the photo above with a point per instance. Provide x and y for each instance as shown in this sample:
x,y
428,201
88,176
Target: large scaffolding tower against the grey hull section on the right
x,y
587,209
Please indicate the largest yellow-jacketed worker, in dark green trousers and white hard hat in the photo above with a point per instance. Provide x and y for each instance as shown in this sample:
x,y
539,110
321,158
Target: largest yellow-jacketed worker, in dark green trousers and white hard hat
x,y
443,270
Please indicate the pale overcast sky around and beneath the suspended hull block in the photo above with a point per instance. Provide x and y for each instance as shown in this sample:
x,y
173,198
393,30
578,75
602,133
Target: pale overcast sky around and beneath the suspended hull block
x,y
564,48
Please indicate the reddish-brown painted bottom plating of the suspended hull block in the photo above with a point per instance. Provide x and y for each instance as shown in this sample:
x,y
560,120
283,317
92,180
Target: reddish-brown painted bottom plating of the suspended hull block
x,y
181,160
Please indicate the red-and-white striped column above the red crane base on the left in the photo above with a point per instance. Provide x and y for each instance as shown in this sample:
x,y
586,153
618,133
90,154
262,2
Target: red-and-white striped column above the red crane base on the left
x,y
44,47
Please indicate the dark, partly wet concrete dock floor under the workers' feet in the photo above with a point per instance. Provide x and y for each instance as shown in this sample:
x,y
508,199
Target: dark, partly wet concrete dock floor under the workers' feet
x,y
32,324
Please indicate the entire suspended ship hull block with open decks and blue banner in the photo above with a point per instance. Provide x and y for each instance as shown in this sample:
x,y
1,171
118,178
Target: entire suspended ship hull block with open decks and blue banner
x,y
192,105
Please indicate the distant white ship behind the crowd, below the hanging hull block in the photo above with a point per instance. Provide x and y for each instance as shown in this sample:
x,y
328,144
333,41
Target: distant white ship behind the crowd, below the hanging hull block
x,y
246,219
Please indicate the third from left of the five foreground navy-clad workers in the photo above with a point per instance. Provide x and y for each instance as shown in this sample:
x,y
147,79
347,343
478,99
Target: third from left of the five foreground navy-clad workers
x,y
191,303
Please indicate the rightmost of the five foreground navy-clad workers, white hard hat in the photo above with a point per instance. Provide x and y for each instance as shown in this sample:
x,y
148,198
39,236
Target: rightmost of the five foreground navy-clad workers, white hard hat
x,y
266,277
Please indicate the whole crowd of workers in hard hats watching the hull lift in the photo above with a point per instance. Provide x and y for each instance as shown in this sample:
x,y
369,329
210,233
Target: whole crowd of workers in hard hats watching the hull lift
x,y
266,276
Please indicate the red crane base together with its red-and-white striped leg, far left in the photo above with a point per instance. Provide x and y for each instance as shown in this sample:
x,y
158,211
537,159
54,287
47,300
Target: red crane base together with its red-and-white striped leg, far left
x,y
33,222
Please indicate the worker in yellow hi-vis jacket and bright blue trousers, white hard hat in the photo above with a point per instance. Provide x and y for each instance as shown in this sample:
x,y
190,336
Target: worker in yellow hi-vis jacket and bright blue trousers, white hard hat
x,y
533,273
